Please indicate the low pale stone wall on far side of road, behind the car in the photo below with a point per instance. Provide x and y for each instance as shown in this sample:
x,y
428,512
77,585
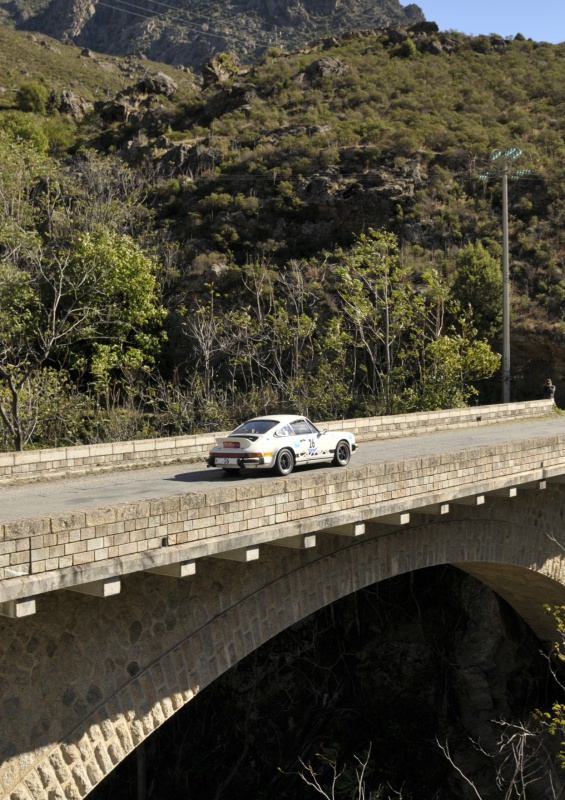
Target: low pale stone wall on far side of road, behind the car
x,y
33,464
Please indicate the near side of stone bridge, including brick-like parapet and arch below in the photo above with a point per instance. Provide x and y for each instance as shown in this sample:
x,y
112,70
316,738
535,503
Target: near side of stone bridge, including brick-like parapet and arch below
x,y
116,617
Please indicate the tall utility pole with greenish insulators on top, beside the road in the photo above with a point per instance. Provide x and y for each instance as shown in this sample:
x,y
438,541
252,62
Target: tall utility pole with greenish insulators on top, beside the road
x,y
502,165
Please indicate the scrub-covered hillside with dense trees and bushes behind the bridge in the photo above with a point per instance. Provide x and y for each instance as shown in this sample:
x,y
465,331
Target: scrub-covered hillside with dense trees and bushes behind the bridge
x,y
310,232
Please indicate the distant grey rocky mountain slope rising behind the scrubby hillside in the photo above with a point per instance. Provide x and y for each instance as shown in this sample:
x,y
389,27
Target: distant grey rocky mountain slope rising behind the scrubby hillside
x,y
188,32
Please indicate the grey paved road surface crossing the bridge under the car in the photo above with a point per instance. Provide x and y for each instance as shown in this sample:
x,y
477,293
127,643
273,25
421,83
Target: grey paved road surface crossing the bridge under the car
x,y
91,491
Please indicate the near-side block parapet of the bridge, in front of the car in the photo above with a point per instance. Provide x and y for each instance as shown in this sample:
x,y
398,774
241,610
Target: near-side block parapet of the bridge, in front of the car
x,y
82,547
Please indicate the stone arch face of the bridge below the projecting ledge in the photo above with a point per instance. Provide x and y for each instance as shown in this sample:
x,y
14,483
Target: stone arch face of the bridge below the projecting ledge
x,y
90,679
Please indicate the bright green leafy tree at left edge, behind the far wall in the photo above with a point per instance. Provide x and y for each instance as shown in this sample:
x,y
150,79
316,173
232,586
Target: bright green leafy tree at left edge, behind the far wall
x,y
97,303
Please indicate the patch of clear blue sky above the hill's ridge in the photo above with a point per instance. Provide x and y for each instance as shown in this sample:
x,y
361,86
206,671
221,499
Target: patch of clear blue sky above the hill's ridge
x,y
541,20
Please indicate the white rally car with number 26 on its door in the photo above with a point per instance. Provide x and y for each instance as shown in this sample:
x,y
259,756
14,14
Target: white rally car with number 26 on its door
x,y
278,442
